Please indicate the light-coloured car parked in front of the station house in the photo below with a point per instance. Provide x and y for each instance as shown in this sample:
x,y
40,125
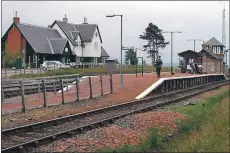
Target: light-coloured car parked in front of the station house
x,y
52,65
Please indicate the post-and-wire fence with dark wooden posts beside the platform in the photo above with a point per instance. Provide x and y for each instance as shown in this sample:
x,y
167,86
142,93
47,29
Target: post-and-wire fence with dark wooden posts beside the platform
x,y
21,95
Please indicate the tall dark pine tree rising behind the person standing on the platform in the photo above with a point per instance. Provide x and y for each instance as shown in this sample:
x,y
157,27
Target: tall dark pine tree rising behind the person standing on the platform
x,y
153,35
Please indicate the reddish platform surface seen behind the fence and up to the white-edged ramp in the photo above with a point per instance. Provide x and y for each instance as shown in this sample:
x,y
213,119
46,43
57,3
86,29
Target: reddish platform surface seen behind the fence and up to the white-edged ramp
x,y
132,86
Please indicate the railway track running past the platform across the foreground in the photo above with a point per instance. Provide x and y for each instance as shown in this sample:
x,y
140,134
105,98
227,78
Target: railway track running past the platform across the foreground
x,y
23,138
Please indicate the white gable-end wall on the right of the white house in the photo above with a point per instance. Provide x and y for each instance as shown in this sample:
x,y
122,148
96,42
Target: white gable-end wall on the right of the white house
x,y
91,49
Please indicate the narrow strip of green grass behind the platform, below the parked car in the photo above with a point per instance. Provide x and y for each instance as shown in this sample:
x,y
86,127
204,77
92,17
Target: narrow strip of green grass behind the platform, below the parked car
x,y
69,71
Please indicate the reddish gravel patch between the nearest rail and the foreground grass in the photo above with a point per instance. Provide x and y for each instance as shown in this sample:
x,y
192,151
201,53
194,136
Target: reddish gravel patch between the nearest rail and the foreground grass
x,y
129,130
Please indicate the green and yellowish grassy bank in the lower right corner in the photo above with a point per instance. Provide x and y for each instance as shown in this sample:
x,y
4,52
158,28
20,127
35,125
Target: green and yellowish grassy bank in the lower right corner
x,y
206,129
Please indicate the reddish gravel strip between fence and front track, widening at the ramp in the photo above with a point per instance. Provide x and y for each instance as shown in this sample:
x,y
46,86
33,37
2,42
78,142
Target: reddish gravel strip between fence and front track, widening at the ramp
x,y
128,93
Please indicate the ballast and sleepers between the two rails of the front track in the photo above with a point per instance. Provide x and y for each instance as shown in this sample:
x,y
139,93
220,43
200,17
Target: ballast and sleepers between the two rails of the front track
x,y
7,140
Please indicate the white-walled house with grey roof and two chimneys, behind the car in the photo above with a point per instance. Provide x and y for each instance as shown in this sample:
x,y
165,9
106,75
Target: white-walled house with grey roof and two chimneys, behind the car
x,y
84,39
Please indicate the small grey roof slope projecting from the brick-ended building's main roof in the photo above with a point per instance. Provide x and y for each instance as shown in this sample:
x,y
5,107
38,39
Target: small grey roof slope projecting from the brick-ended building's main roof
x,y
57,45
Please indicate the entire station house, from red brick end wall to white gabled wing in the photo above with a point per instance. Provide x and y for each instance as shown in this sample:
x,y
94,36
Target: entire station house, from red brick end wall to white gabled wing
x,y
61,41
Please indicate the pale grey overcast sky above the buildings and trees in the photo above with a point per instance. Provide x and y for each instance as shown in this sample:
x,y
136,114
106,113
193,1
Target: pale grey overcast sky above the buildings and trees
x,y
196,20
